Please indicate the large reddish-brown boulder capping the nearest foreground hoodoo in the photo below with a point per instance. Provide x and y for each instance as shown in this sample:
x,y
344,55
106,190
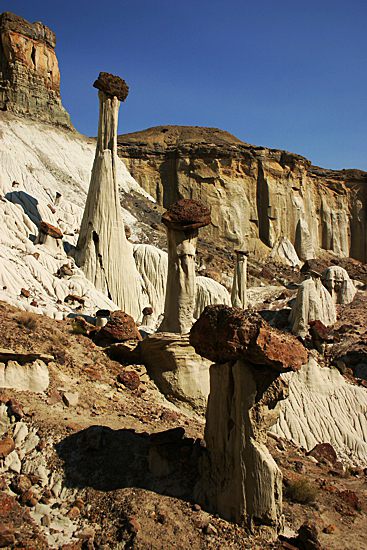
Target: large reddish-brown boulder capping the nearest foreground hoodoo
x,y
225,334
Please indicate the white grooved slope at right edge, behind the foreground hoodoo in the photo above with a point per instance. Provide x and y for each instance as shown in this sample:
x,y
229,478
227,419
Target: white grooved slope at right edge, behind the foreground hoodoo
x,y
323,408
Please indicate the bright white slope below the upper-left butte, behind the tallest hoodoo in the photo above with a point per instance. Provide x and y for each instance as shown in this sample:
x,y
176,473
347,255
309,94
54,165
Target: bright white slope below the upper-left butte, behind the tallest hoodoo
x,y
44,174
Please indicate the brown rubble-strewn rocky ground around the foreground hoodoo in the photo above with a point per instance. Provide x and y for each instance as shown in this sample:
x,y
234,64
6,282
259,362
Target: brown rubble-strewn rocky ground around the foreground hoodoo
x,y
82,468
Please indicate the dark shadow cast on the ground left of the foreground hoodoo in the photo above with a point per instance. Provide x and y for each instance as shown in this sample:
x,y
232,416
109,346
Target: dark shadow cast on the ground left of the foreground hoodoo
x,y
106,460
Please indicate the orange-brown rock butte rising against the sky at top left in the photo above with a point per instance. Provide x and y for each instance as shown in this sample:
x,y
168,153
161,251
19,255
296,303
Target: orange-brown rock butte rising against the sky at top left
x,y
29,72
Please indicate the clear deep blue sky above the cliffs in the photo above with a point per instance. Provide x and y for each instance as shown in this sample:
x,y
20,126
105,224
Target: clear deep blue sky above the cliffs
x,y
285,74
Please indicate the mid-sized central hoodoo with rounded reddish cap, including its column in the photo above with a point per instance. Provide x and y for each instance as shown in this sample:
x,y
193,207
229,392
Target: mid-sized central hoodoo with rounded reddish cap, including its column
x,y
182,220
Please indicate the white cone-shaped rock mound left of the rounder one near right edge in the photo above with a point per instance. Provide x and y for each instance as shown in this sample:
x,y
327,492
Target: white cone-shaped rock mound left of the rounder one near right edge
x,y
313,302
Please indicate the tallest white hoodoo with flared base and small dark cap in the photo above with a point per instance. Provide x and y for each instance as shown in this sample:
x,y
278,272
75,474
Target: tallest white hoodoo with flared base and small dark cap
x,y
103,251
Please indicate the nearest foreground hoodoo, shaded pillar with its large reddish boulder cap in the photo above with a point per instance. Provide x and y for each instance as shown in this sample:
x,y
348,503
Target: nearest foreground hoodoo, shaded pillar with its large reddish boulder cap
x,y
239,478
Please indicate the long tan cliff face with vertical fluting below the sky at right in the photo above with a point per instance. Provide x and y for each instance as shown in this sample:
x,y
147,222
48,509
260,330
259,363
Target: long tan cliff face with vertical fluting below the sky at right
x,y
253,192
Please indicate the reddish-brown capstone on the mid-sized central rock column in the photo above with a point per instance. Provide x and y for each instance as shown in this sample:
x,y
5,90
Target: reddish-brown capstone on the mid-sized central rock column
x,y
186,215
